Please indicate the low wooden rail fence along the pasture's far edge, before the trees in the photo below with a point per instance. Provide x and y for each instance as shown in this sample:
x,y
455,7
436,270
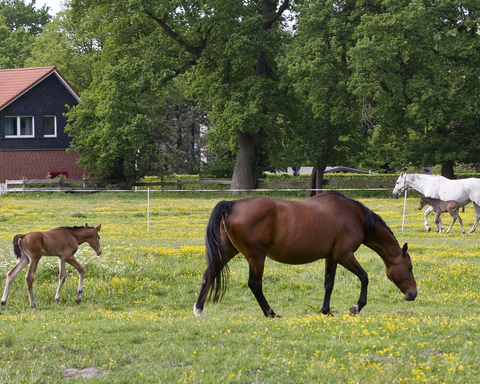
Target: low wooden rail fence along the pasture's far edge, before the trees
x,y
95,185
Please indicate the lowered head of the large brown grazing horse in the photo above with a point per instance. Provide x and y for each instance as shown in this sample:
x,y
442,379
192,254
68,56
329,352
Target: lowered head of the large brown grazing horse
x,y
400,272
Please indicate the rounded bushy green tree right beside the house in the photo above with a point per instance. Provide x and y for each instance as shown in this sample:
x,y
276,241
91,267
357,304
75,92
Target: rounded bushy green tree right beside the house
x,y
127,125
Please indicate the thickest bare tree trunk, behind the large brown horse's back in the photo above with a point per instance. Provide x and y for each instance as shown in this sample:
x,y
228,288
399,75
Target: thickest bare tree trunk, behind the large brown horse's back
x,y
244,172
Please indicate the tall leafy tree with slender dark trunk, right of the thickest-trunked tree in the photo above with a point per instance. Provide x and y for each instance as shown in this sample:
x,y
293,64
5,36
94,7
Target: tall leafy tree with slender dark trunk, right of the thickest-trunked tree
x,y
318,61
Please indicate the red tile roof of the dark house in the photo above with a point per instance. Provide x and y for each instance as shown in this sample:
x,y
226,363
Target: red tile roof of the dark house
x,y
15,82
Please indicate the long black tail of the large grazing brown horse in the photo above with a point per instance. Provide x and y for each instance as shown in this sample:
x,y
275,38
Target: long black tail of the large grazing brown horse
x,y
216,274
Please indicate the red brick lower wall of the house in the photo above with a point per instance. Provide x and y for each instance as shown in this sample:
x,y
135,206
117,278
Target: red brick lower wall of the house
x,y
14,165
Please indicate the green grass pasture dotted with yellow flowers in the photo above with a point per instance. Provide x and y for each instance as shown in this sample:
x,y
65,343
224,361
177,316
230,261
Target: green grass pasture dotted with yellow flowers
x,y
136,323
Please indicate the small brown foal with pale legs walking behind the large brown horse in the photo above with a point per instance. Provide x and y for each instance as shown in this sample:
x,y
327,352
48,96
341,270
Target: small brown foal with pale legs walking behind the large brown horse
x,y
62,242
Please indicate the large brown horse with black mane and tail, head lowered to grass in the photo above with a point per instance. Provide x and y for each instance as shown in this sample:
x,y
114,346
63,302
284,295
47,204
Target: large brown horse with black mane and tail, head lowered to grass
x,y
329,226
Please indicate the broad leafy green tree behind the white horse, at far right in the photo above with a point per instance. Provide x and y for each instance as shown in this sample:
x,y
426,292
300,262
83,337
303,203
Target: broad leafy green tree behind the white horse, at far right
x,y
418,62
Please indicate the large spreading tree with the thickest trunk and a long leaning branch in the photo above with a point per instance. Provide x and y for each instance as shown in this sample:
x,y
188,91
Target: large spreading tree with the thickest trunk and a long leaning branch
x,y
226,49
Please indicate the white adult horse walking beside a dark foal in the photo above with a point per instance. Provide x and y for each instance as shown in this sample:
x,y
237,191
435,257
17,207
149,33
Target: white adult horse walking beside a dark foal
x,y
462,191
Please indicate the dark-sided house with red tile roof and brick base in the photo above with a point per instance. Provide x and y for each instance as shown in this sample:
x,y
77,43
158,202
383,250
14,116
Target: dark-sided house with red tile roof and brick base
x,y
33,142
